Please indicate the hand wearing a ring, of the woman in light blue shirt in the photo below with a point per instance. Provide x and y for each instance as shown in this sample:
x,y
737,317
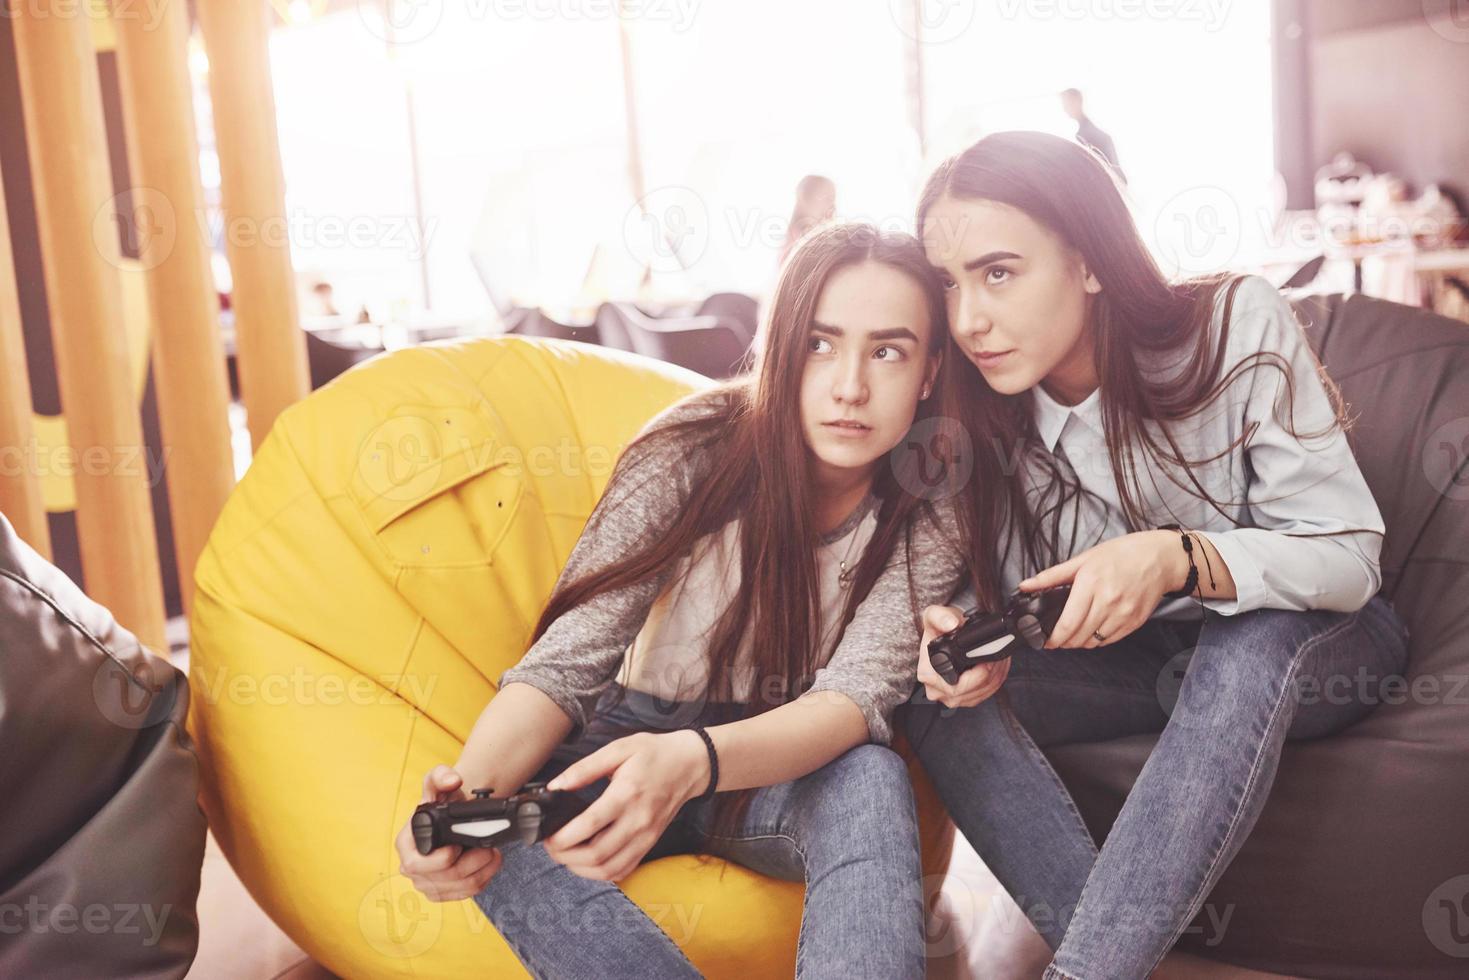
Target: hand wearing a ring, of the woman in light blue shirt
x,y
1114,587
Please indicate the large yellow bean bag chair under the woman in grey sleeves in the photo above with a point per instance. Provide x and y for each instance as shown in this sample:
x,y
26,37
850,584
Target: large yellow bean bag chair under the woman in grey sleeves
x,y
380,566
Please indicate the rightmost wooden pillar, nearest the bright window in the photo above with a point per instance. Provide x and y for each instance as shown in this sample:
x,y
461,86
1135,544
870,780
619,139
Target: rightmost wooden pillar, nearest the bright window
x,y
271,346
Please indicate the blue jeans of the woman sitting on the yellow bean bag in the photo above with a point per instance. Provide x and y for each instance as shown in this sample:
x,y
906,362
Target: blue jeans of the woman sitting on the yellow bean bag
x,y
850,831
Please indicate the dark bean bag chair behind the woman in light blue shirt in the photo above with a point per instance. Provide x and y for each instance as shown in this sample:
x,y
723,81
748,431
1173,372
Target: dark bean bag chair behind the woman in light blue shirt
x,y
1360,866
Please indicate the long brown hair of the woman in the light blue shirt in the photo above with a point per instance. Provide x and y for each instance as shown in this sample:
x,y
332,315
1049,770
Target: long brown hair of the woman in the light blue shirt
x,y
1139,314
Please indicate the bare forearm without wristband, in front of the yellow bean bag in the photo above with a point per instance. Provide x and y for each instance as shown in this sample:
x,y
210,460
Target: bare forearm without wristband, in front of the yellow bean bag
x,y
513,738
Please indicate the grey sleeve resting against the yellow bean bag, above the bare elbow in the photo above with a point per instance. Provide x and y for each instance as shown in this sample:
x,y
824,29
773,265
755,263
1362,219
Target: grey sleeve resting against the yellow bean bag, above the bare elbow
x,y
581,652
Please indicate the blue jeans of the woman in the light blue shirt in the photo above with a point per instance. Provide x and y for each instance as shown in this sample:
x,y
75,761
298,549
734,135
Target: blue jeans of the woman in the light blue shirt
x,y
1224,697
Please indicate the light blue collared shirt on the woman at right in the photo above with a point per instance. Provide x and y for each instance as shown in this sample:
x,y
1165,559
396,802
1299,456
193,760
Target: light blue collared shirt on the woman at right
x,y
1276,486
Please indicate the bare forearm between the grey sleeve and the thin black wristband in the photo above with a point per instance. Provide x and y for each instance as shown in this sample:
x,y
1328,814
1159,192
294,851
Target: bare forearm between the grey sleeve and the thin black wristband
x,y
788,743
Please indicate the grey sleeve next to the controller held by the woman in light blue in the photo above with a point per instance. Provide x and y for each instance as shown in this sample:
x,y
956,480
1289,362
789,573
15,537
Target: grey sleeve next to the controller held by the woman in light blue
x,y
876,662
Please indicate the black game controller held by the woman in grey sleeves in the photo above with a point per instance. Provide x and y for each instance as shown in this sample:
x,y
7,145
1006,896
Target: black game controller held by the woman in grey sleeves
x,y
533,815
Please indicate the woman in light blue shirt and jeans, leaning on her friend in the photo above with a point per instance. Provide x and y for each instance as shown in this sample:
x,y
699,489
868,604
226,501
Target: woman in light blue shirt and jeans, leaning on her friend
x,y
1120,418
